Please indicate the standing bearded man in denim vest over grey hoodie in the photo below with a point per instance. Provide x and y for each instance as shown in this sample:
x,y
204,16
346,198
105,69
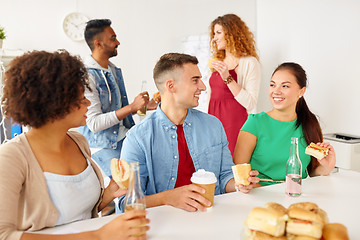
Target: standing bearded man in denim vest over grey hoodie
x,y
110,114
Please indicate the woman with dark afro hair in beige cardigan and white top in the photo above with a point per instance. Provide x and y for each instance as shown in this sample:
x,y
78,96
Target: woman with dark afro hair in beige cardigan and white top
x,y
47,177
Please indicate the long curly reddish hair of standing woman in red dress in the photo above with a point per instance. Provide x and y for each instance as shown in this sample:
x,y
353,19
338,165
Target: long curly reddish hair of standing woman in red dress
x,y
239,39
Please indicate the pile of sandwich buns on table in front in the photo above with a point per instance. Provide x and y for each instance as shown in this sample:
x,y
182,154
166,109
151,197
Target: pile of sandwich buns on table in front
x,y
300,221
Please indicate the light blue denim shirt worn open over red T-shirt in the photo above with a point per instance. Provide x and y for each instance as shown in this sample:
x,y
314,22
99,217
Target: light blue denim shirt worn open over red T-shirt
x,y
153,143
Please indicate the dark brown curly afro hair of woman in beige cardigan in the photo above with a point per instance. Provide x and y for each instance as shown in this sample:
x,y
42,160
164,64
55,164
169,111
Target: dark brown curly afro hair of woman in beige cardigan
x,y
40,87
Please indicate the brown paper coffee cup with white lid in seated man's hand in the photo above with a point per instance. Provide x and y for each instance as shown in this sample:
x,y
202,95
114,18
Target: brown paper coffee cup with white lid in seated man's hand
x,y
206,180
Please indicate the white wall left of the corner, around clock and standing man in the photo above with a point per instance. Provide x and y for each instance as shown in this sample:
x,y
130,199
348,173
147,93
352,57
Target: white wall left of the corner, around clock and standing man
x,y
146,29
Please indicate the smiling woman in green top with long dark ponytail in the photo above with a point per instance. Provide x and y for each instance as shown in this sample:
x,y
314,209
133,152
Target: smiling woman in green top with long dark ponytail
x,y
264,140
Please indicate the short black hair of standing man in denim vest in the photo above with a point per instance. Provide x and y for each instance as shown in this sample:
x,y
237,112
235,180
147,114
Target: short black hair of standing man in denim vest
x,y
93,28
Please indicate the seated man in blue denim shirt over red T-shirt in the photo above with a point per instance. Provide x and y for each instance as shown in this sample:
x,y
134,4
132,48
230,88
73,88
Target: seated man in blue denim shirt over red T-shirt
x,y
176,140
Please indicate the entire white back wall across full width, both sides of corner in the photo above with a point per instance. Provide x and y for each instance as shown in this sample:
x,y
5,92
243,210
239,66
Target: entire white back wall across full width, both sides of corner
x,y
321,35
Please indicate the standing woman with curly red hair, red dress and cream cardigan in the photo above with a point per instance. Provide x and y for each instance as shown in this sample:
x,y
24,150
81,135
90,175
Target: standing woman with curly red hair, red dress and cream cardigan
x,y
235,81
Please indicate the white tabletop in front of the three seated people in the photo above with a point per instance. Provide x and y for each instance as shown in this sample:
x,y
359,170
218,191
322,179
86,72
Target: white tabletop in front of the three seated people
x,y
338,194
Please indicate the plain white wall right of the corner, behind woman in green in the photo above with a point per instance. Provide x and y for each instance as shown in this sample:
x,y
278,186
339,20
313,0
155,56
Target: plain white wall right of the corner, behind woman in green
x,y
323,36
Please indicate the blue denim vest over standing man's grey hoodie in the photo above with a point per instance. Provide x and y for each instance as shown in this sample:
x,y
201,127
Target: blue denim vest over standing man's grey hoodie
x,y
108,138
